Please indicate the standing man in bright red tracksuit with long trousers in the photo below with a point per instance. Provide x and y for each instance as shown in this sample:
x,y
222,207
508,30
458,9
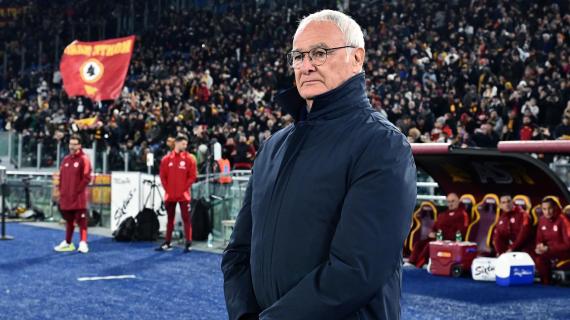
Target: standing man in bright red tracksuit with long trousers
x,y
177,173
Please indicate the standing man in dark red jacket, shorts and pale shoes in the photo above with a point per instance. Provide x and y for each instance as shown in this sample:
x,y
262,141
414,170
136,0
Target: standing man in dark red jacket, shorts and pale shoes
x,y
74,176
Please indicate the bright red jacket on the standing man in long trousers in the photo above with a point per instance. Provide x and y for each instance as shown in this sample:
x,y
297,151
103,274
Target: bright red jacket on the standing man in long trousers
x,y
177,173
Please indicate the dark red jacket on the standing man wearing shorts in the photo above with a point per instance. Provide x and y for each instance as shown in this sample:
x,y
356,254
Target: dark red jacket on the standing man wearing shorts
x,y
74,176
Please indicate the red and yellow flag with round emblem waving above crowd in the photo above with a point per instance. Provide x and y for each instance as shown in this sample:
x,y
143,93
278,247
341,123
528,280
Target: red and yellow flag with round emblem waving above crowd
x,y
96,69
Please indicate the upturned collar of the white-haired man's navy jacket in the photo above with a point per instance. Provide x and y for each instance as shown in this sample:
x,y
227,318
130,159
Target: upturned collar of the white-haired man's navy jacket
x,y
329,105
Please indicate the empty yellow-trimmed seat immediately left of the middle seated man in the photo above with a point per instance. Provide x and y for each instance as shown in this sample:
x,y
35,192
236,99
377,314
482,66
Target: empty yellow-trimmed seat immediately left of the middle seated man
x,y
481,229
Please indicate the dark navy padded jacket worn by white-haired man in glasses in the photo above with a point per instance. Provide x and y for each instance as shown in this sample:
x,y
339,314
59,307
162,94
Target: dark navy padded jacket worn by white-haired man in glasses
x,y
327,209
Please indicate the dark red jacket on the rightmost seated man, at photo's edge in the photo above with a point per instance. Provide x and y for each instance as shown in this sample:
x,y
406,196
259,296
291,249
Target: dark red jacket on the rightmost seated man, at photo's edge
x,y
555,234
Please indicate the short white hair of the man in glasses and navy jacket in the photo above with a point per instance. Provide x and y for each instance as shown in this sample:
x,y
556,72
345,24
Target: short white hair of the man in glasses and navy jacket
x,y
352,32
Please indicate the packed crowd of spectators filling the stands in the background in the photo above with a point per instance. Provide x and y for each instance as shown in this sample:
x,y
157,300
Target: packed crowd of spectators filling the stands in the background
x,y
470,73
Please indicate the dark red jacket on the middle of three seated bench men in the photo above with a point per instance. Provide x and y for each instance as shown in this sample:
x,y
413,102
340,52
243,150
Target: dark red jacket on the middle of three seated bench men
x,y
513,231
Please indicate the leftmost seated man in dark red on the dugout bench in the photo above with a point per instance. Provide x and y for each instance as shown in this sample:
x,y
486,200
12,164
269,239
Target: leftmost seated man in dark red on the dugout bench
x,y
449,222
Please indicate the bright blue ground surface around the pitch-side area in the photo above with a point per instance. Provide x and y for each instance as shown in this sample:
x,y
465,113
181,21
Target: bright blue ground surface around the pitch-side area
x,y
37,283
